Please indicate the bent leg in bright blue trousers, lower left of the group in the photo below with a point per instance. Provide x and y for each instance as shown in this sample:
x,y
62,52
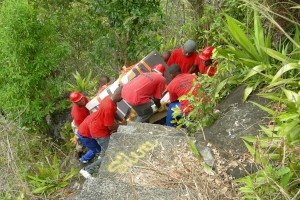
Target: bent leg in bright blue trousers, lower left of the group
x,y
92,145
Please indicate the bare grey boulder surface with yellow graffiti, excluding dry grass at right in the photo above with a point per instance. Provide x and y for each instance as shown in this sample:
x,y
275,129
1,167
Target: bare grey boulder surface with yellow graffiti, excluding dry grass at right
x,y
132,164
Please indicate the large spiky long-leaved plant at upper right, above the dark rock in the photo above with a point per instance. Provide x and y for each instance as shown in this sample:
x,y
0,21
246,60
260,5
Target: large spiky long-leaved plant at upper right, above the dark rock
x,y
255,53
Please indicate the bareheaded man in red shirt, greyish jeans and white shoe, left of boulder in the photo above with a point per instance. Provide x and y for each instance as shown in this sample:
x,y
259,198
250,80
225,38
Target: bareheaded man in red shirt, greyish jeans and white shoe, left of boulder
x,y
102,125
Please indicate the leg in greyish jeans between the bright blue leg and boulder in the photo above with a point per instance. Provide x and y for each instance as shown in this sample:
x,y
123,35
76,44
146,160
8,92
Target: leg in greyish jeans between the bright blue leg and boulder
x,y
93,168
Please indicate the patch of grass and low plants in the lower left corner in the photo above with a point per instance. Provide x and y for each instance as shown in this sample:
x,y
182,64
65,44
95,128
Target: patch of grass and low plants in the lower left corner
x,y
25,174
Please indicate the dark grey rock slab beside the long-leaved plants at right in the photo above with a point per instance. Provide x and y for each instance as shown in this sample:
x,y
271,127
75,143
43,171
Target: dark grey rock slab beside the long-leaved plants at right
x,y
237,119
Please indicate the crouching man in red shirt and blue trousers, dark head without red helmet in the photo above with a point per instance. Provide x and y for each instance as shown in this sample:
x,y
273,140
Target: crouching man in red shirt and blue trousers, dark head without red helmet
x,y
180,85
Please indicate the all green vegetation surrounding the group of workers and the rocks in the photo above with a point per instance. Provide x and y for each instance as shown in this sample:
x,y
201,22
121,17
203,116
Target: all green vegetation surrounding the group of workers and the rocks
x,y
49,48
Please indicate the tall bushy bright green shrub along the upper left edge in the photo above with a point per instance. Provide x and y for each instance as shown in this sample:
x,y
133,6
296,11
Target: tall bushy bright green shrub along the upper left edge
x,y
30,54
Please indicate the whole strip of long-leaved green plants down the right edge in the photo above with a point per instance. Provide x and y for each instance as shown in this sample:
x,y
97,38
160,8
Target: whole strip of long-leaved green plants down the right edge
x,y
276,73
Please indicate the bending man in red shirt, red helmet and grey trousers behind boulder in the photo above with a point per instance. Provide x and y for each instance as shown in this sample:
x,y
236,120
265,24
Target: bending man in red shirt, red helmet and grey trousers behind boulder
x,y
139,91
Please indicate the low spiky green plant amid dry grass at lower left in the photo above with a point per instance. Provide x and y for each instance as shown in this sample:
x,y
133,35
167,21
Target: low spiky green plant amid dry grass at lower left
x,y
49,178
